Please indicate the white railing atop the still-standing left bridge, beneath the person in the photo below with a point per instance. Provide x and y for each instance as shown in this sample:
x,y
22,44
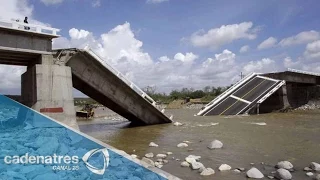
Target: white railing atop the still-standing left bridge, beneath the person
x,y
29,27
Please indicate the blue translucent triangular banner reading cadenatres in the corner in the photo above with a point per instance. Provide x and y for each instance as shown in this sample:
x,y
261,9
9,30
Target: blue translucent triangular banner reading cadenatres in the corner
x,y
34,147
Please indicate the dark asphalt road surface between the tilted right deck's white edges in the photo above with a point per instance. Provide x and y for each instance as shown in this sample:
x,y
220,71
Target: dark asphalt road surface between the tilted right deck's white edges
x,y
243,97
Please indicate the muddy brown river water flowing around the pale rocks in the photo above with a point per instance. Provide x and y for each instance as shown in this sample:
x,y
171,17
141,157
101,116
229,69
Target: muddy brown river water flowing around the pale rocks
x,y
293,136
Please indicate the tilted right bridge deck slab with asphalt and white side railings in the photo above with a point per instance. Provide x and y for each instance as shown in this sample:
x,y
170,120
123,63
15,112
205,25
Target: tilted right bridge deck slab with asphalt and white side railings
x,y
242,96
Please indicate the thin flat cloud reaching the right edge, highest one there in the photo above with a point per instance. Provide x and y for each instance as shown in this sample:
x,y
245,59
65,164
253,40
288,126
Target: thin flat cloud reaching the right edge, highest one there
x,y
301,38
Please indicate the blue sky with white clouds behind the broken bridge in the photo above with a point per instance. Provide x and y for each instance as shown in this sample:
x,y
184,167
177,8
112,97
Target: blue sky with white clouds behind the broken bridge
x,y
171,44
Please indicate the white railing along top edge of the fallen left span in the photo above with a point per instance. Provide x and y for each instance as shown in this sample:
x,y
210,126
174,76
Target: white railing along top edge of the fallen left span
x,y
121,76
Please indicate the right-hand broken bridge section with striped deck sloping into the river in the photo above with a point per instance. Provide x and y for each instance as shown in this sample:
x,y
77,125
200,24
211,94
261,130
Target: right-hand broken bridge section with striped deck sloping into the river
x,y
262,93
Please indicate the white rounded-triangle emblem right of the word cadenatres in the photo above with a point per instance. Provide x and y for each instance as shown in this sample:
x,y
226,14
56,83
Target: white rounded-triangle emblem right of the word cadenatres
x,y
105,155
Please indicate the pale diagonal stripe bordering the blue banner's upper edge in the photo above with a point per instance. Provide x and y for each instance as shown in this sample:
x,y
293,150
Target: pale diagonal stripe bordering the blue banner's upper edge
x,y
120,152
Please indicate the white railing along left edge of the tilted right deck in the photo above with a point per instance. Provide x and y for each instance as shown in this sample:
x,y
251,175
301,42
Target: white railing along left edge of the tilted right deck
x,y
225,93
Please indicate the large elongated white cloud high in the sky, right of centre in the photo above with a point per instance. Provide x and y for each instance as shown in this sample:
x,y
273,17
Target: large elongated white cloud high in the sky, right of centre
x,y
226,34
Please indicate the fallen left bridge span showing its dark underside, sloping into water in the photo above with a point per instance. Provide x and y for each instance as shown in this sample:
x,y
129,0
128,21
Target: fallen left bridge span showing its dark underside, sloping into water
x,y
94,77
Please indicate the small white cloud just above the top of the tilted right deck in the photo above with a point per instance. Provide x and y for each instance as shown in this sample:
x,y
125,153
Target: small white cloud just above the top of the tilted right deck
x,y
262,66
